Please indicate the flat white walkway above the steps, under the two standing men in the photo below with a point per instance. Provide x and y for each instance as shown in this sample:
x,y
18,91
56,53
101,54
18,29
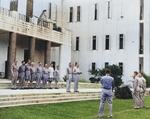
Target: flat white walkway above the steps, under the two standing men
x,y
42,91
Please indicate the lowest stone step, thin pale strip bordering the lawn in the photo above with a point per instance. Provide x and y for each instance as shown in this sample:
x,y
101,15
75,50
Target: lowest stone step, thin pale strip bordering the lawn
x,y
1,106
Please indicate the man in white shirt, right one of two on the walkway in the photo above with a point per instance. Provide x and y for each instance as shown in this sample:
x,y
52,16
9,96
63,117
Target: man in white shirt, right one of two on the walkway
x,y
76,73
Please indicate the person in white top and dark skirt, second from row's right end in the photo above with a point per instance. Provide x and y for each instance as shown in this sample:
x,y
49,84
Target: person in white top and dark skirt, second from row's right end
x,y
51,75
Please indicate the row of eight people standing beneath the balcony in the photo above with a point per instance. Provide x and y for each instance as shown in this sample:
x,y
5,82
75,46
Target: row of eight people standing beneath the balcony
x,y
27,72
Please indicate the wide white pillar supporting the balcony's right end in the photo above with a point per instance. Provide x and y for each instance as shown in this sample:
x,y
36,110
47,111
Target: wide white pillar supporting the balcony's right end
x,y
65,58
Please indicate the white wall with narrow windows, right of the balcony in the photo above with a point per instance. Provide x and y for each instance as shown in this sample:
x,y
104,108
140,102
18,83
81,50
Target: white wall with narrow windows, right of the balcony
x,y
128,25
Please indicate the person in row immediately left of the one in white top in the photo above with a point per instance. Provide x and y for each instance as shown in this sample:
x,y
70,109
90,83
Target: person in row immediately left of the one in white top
x,y
45,76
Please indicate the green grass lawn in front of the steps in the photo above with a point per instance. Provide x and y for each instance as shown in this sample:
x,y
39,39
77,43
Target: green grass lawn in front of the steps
x,y
122,109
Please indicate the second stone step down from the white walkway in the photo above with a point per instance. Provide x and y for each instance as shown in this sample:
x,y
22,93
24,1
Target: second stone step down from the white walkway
x,y
41,101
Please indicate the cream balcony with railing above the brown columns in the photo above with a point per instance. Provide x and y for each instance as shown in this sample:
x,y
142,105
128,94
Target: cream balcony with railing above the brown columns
x,y
12,21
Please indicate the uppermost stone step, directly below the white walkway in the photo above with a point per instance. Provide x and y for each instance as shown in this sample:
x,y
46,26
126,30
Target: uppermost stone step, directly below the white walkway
x,y
44,96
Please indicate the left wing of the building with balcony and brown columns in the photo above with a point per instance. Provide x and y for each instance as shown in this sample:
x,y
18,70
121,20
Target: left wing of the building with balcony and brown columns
x,y
32,29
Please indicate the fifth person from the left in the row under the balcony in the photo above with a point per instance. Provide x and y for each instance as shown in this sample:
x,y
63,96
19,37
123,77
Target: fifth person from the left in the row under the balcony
x,y
39,75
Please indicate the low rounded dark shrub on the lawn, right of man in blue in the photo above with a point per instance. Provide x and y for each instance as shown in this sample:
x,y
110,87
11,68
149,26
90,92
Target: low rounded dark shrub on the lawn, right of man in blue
x,y
123,93
